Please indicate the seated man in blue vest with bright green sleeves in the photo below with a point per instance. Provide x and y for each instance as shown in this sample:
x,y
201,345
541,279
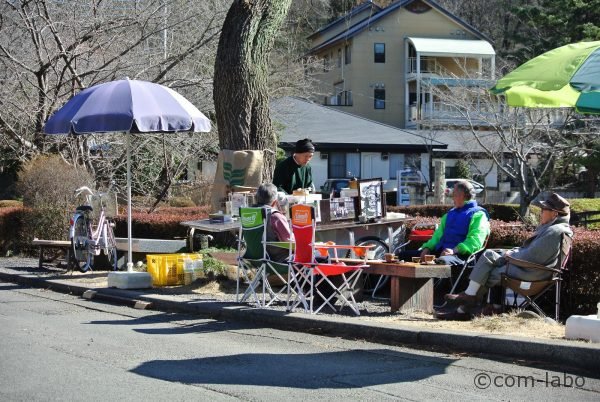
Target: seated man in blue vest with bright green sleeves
x,y
462,231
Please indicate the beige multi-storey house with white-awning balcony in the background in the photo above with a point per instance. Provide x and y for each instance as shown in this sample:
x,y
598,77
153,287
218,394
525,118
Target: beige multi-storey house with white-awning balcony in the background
x,y
382,64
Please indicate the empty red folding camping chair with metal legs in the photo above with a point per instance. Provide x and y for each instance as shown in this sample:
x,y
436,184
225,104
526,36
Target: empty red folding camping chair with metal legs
x,y
308,279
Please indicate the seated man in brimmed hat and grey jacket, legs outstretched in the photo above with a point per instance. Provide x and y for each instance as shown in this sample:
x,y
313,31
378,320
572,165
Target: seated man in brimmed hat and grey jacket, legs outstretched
x,y
542,248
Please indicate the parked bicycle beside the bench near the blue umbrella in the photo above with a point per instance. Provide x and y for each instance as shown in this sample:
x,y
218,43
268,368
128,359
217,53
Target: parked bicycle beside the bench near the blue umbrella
x,y
90,237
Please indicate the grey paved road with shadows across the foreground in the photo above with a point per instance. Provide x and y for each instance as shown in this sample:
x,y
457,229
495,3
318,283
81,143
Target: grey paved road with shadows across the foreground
x,y
56,346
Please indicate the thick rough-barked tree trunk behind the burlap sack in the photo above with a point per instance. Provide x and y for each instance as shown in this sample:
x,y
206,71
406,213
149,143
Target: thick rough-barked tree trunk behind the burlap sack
x,y
240,89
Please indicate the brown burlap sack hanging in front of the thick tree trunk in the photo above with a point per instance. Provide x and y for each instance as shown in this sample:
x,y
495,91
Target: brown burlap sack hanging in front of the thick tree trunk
x,y
235,168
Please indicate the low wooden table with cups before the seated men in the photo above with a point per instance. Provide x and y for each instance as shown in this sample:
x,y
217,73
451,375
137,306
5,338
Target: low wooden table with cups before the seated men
x,y
411,283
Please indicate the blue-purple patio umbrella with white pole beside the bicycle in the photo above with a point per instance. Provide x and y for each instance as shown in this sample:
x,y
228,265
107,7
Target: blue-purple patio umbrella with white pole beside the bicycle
x,y
127,106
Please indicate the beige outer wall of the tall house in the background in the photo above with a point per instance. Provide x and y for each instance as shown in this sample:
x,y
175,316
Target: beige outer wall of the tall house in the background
x,y
362,74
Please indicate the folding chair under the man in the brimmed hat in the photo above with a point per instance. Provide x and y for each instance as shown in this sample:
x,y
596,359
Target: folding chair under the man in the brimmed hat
x,y
531,291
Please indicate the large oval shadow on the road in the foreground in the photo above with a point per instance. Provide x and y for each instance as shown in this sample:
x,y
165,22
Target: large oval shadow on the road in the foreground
x,y
342,369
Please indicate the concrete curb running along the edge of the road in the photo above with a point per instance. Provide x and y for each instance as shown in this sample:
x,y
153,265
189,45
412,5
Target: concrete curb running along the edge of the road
x,y
583,356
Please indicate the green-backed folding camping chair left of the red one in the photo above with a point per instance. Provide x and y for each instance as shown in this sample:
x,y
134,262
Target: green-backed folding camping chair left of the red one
x,y
254,264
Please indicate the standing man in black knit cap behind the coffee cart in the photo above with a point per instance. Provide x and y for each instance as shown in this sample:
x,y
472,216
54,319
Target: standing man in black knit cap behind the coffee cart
x,y
294,172
